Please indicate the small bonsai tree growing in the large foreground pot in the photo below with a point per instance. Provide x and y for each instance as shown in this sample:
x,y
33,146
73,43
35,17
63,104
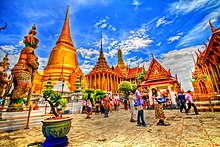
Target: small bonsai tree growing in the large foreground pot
x,y
55,100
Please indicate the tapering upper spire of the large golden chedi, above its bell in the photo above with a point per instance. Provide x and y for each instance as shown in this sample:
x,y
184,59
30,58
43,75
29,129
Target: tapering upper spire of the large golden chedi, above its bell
x,y
65,33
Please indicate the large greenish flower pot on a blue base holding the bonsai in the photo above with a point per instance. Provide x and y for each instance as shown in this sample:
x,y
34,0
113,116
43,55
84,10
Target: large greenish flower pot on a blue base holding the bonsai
x,y
55,131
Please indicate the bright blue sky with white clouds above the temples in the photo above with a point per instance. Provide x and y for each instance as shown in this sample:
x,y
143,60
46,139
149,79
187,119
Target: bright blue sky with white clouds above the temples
x,y
170,29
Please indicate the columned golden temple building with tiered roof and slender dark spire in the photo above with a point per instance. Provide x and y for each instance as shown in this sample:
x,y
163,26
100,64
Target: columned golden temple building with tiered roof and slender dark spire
x,y
102,76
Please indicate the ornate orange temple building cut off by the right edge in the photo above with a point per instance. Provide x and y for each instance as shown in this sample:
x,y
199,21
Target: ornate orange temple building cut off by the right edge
x,y
206,76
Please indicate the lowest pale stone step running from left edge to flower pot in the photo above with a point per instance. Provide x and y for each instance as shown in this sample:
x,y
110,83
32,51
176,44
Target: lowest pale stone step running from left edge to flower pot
x,y
17,127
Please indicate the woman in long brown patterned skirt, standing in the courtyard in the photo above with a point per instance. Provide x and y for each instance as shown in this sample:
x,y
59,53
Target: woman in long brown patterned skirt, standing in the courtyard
x,y
158,107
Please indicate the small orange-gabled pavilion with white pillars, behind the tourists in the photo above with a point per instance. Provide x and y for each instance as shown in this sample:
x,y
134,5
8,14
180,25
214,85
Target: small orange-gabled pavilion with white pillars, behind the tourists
x,y
161,79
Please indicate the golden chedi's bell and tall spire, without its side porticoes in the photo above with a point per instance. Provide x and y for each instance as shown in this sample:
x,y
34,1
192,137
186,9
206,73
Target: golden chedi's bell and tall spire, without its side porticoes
x,y
63,57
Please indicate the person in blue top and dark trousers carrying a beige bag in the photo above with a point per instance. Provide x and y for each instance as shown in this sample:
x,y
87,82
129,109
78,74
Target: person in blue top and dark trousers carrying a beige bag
x,y
139,106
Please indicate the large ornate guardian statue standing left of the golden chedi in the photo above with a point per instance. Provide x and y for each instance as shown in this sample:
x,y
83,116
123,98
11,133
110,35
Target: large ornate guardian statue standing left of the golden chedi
x,y
23,71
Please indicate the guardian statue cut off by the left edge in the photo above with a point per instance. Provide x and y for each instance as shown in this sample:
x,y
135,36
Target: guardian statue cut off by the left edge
x,y
5,82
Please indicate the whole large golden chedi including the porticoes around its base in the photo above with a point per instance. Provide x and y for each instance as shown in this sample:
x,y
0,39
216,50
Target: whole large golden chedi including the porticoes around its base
x,y
62,64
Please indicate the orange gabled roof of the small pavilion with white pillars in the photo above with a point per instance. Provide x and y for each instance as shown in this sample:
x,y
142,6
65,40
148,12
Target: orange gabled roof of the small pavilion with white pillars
x,y
156,75
